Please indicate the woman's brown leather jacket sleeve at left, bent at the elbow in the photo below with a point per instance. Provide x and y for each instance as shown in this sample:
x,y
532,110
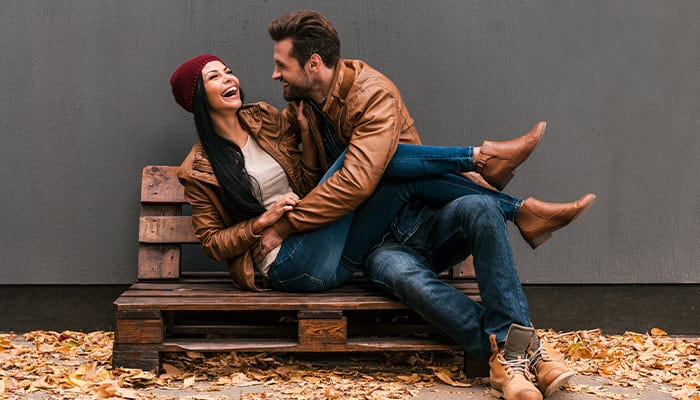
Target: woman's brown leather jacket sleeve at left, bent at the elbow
x,y
218,241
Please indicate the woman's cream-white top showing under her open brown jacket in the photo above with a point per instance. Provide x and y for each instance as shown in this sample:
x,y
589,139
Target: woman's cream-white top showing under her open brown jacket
x,y
273,182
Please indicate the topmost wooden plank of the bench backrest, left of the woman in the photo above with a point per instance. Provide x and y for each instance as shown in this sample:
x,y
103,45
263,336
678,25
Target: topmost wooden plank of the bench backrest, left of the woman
x,y
159,184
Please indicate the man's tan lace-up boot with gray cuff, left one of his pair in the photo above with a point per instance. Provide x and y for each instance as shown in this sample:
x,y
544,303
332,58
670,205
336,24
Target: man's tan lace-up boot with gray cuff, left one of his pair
x,y
509,375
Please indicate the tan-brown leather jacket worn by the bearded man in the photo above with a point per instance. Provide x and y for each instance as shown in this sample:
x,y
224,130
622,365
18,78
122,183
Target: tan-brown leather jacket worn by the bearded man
x,y
371,117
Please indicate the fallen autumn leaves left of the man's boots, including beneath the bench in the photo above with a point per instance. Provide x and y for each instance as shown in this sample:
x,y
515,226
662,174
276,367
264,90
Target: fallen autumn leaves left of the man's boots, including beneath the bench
x,y
75,365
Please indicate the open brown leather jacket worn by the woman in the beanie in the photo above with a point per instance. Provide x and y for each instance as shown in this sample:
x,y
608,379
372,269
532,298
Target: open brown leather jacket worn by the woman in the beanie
x,y
223,237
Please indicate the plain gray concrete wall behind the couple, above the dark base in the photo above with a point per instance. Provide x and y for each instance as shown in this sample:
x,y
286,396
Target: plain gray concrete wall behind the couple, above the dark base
x,y
86,104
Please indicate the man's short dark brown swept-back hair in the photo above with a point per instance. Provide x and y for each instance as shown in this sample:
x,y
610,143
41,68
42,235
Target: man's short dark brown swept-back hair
x,y
311,33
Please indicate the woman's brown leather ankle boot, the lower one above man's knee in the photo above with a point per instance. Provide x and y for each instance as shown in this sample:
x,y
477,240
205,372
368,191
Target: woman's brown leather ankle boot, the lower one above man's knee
x,y
537,219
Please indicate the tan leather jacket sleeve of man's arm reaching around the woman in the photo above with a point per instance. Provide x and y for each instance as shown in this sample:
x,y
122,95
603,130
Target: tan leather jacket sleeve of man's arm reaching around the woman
x,y
373,141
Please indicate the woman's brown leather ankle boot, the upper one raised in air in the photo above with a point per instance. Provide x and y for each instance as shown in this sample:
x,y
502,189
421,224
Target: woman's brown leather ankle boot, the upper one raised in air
x,y
497,160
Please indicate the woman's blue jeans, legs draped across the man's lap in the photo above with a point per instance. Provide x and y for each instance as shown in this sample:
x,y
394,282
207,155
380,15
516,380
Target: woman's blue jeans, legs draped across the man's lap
x,y
327,257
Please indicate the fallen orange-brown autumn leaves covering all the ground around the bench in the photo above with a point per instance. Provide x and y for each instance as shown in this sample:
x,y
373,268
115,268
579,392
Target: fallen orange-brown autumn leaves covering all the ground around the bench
x,y
75,365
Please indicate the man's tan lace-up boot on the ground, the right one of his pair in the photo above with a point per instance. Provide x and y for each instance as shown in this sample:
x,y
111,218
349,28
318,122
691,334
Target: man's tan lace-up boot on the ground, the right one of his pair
x,y
548,365
